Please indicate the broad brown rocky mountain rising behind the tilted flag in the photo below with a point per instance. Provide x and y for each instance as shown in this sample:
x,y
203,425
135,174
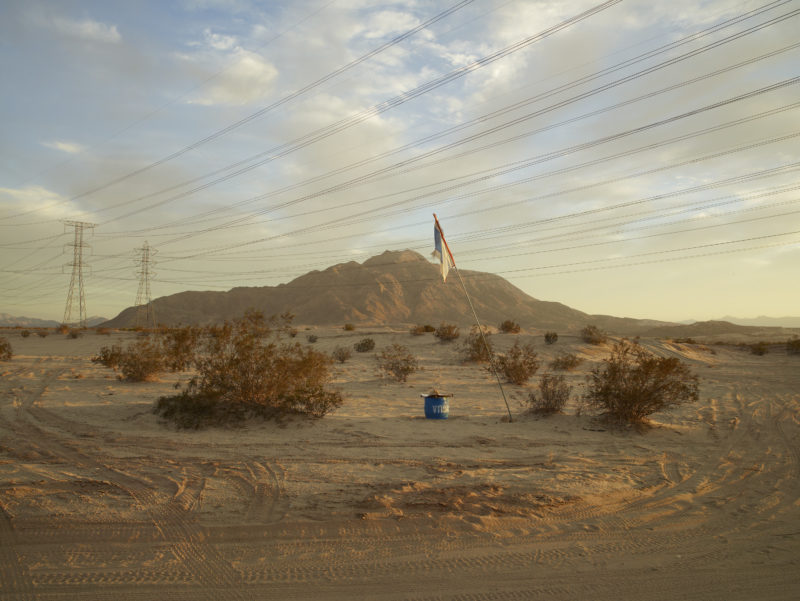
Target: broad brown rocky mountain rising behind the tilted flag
x,y
396,287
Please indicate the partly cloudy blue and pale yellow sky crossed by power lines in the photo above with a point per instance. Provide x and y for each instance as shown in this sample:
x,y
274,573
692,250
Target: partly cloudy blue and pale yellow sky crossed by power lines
x,y
628,158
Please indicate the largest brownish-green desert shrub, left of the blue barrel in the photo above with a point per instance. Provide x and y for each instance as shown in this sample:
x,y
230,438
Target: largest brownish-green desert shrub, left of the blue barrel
x,y
245,369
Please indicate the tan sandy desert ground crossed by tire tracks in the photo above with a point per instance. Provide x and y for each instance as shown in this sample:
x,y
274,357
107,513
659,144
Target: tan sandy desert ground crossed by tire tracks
x,y
101,501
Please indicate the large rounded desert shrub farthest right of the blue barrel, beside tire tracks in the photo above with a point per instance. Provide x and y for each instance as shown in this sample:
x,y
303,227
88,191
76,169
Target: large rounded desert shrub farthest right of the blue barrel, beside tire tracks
x,y
632,384
